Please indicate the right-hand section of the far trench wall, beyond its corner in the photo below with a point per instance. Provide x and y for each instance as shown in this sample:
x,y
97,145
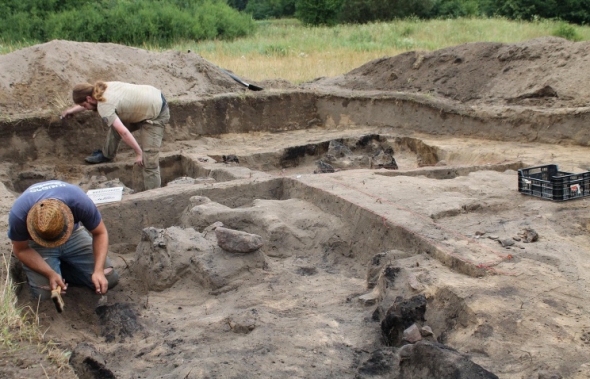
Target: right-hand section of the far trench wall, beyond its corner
x,y
425,115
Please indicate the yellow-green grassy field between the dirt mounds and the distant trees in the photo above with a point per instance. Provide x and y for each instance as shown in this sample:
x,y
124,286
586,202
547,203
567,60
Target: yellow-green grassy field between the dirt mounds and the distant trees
x,y
287,50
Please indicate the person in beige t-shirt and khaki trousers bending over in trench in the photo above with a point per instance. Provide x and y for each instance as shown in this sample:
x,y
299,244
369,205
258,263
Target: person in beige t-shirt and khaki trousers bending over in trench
x,y
125,108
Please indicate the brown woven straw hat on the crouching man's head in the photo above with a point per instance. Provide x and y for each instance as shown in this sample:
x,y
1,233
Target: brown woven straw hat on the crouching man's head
x,y
50,222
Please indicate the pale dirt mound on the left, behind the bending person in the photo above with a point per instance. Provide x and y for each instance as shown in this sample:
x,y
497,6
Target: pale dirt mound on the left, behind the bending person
x,y
40,78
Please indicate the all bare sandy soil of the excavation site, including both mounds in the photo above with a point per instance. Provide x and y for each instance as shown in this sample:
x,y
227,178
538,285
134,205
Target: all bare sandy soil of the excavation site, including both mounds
x,y
501,278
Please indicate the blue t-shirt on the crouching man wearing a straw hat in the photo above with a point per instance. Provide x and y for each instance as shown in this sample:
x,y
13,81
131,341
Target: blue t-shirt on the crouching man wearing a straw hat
x,y
80,204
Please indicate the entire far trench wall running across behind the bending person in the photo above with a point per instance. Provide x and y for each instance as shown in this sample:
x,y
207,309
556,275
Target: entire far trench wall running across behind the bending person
x,y
34,138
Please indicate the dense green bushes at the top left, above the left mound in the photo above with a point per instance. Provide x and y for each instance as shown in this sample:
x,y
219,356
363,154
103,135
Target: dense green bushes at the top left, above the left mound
x,y
121,21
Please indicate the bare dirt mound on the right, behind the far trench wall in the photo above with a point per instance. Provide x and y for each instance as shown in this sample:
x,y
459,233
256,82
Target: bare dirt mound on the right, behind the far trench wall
x,y
536,72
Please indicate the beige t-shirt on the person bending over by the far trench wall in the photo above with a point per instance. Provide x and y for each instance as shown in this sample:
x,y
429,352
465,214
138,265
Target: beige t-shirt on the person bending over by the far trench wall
x,y
130,102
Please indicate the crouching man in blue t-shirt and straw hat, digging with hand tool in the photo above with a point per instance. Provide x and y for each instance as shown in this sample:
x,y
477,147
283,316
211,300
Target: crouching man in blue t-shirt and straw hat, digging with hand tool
x,y
44,226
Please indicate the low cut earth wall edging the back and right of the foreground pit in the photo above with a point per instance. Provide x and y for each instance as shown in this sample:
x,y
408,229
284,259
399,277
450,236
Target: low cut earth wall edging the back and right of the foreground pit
x,y
369,233
